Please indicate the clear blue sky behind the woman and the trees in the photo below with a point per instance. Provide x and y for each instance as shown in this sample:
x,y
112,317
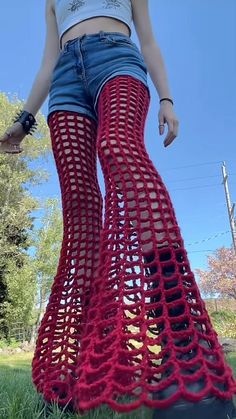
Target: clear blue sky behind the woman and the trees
x,y
197,40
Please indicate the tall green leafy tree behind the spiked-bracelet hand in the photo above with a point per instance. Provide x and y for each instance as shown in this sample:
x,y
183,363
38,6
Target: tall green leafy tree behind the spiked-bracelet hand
x,y
16,206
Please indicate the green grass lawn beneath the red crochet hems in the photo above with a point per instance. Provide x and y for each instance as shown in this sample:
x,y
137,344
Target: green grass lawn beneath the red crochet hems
x,y
19,399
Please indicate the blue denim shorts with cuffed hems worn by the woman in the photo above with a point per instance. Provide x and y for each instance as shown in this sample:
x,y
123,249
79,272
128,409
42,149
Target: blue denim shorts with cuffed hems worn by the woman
x,y
85,64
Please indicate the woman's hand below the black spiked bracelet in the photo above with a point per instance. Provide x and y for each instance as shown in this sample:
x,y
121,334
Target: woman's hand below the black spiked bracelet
x,y
11,139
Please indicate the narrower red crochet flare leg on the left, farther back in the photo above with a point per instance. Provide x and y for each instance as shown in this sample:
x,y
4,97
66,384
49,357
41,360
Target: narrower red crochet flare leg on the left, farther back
x,y
57,350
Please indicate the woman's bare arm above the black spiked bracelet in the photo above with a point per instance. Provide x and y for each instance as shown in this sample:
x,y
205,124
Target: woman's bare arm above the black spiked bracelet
x,y
42,80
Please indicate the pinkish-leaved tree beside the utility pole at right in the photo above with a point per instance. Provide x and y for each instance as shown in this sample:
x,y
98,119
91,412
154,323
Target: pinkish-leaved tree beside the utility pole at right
x,y
220,278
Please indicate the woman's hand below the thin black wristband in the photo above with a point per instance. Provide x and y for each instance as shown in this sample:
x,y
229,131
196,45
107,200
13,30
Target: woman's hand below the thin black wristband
x,y
167,115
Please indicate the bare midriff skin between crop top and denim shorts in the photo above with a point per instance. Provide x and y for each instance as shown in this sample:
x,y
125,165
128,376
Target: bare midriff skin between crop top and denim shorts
x,y
94,25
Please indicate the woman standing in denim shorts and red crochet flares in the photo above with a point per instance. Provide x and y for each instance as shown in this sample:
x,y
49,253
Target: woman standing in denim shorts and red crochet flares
x,y
125,324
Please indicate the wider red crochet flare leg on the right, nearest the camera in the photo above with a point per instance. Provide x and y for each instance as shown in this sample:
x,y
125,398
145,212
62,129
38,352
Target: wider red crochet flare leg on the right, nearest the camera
x,y
148,338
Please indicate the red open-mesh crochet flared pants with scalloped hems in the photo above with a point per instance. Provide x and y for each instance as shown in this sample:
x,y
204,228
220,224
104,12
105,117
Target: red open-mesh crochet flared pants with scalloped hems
x,y
125,320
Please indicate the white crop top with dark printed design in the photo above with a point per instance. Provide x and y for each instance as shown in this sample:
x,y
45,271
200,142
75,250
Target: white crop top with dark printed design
x,y
70,12
